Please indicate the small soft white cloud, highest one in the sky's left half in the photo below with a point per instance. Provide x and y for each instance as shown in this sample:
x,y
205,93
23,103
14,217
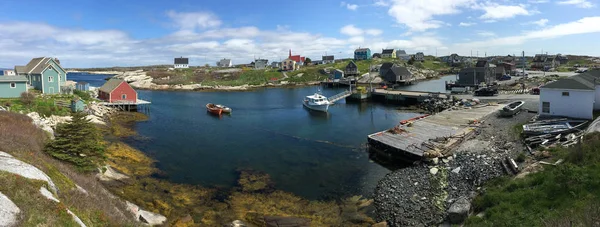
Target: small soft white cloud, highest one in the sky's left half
x,y
193,20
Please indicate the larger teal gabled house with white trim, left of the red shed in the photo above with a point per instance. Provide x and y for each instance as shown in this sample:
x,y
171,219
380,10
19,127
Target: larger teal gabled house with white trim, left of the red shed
x,y
44,74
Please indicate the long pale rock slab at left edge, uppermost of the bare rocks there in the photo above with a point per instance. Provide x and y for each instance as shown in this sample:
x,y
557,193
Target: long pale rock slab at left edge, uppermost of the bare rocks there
x,y
9,164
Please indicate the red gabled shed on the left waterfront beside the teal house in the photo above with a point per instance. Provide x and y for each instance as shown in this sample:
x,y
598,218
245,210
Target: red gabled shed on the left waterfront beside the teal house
x,y
117,91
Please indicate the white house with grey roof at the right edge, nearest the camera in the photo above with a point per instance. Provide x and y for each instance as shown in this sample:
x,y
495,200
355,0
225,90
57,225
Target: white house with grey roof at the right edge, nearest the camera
x,y
576,97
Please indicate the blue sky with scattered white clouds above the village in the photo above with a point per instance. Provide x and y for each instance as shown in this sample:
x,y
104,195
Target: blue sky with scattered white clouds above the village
x,y
107,33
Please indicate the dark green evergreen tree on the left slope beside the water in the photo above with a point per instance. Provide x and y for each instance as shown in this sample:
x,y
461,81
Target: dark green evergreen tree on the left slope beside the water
x,y
78,142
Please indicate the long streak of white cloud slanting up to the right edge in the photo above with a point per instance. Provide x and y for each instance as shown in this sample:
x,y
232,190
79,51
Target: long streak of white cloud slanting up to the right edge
x,y
583,26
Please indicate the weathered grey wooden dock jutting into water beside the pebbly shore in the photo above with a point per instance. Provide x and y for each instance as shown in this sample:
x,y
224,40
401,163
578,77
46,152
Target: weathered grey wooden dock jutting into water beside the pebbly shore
x,y
412,142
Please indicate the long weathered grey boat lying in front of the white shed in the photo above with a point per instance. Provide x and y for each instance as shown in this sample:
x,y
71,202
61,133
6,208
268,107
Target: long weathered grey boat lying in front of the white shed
x,y
553,127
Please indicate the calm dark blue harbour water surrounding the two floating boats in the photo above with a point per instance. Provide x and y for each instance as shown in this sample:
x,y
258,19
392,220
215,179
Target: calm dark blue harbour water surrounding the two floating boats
x,y
314,155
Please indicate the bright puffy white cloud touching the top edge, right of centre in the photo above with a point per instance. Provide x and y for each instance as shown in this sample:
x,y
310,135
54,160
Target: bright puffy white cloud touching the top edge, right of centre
x,y
418,15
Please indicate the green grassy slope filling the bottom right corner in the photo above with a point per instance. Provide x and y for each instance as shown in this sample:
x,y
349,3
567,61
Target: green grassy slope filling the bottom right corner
x,y
558,194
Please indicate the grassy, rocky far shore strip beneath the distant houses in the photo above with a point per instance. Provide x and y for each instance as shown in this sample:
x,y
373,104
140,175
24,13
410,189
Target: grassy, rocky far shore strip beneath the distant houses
x,y
243,79
